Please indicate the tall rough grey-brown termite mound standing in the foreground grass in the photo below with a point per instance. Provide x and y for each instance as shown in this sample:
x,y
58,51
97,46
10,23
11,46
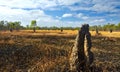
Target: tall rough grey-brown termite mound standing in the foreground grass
x,y
81,56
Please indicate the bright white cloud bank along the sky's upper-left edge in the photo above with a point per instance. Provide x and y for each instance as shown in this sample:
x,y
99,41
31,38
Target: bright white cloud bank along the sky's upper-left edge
x,y
43,4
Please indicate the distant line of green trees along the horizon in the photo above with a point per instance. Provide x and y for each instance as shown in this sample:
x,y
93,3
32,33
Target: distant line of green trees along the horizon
x,y
16,25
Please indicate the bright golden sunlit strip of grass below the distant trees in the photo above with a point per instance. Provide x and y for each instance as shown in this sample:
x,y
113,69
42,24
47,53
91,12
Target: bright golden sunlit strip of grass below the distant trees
x,y
64,33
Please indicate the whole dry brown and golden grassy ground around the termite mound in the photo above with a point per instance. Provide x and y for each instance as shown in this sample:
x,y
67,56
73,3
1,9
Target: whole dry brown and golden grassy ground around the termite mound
x,y
49,51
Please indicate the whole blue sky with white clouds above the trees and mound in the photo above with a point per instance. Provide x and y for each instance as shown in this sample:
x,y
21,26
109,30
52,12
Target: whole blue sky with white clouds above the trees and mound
x,y
67,13
